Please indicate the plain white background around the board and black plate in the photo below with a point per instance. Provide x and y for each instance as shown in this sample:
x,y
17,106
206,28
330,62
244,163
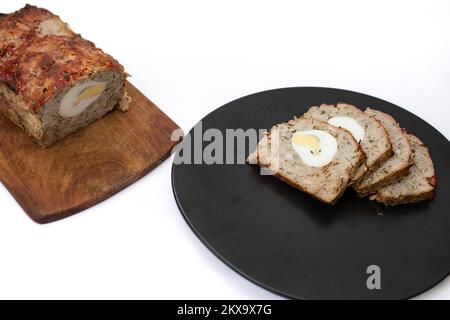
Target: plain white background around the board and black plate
x,y
191,57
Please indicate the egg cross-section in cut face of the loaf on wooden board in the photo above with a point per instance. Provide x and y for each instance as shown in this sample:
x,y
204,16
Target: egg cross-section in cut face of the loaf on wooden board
x,y
80,97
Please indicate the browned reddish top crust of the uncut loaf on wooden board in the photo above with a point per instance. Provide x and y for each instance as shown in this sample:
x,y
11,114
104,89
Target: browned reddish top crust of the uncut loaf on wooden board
x,y
36,65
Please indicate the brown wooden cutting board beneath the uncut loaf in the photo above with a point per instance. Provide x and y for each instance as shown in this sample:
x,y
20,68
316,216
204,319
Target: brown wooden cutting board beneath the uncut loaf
x,y
89,166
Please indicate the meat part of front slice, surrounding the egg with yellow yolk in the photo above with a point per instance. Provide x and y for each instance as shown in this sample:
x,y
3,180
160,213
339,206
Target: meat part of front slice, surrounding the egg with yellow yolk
x,y
326,184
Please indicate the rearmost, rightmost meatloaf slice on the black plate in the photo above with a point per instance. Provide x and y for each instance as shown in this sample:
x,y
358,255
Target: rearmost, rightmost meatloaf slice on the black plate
x,y
419,185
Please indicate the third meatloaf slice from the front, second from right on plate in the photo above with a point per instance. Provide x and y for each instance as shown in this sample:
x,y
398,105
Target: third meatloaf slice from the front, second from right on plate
x,y
395,167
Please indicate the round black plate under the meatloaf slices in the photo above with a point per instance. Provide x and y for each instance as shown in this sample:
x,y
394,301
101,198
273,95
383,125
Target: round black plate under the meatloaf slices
x,y
295,246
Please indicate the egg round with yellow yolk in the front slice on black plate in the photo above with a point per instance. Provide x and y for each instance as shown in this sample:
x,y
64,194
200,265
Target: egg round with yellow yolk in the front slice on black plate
x,y
316,148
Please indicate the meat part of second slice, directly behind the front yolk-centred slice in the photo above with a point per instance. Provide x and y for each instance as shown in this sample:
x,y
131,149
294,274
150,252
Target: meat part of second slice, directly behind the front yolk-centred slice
x,y
375,144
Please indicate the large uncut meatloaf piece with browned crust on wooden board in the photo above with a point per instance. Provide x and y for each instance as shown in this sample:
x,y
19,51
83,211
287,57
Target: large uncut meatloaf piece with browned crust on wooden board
x,y
52,81
